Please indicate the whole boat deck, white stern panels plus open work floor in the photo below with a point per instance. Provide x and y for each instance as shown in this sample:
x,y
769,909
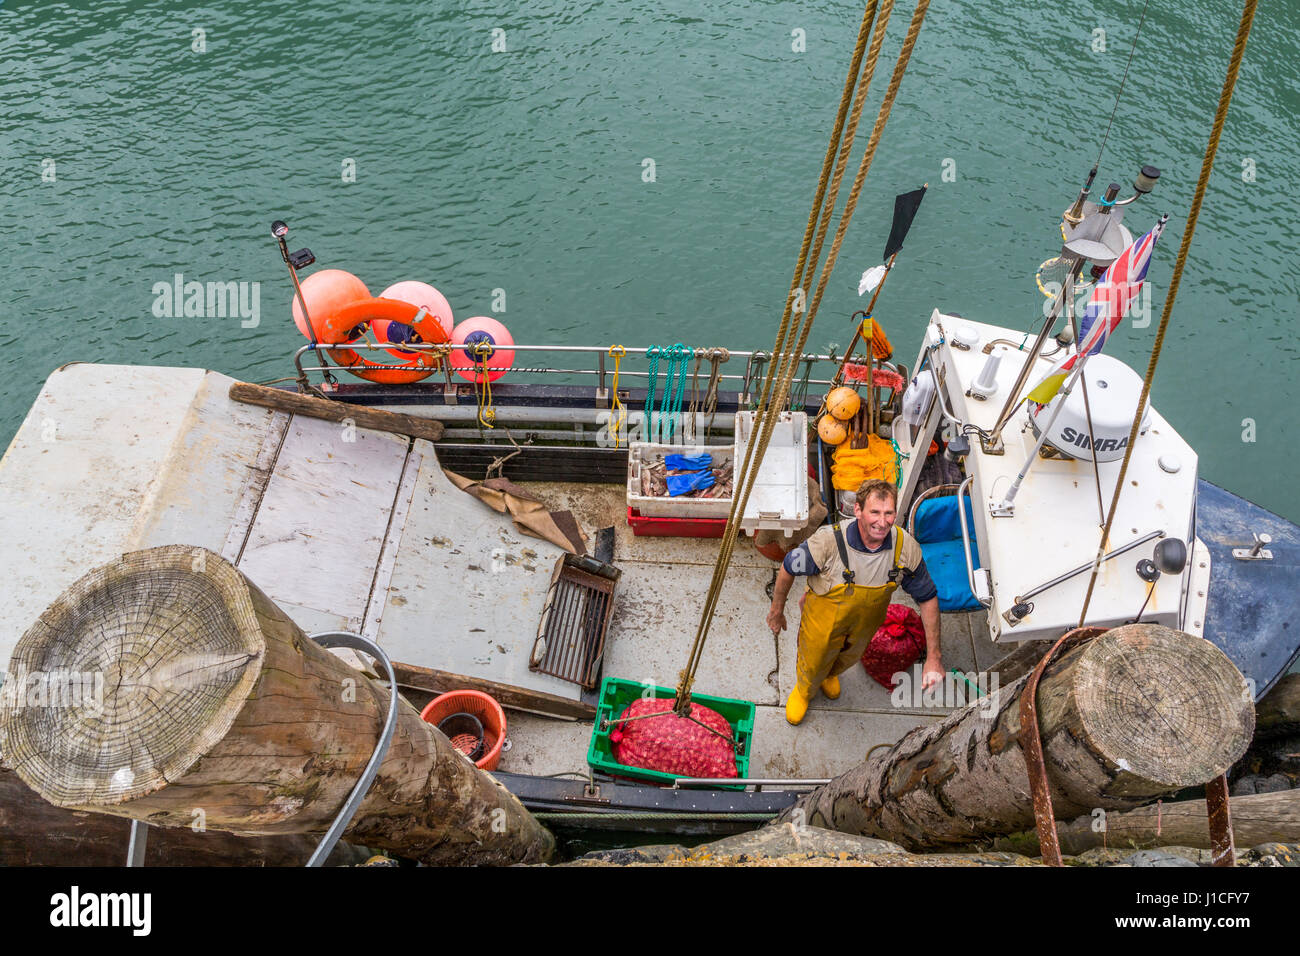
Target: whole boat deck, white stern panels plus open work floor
x,y
357,530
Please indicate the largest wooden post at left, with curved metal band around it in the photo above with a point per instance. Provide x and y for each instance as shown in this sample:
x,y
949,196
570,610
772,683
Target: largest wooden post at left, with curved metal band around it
x,y
214,704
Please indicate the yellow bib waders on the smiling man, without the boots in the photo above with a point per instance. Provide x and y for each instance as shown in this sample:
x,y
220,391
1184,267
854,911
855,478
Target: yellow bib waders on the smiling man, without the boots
x,y
837,628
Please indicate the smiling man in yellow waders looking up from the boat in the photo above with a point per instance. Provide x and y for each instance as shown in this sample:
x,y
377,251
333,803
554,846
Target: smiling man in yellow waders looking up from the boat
x,y
852,573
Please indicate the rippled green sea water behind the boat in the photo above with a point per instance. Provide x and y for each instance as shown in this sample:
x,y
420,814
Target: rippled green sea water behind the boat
x,y
487,146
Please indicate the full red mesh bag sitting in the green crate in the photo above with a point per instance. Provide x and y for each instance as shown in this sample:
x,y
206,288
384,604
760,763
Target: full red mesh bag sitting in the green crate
x,y
673,745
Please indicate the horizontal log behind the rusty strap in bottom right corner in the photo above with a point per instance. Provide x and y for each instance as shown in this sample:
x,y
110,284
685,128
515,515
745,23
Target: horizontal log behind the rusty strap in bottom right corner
x,y
1256,819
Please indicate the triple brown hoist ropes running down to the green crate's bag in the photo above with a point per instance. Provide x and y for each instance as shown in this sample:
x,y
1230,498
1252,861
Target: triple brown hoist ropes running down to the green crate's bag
x,y
770,404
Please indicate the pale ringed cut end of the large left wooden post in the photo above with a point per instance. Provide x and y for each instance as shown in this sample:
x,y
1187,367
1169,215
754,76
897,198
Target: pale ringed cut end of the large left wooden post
x,y
167,631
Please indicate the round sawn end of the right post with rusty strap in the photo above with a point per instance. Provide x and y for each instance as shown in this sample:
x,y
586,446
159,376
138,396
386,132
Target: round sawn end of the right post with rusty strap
x,y
1163,707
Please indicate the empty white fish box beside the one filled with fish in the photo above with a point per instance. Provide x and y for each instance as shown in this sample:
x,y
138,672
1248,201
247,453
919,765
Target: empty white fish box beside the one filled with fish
x,y
781,496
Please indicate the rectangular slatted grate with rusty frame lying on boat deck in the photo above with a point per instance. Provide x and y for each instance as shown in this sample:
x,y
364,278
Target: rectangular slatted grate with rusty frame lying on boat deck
x,y
571,635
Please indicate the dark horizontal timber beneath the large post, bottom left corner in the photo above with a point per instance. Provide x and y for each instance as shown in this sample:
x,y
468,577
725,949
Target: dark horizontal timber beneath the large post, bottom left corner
x,y
34,833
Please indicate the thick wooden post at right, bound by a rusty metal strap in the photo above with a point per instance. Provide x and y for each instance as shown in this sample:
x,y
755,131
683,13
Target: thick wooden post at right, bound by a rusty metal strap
x,y
1134,715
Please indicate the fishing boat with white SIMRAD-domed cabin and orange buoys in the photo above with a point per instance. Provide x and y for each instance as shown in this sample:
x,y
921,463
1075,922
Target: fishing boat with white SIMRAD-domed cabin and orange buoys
x,y
352,527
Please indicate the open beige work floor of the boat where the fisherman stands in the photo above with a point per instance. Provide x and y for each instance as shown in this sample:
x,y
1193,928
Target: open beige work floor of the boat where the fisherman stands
x,y
657,608
